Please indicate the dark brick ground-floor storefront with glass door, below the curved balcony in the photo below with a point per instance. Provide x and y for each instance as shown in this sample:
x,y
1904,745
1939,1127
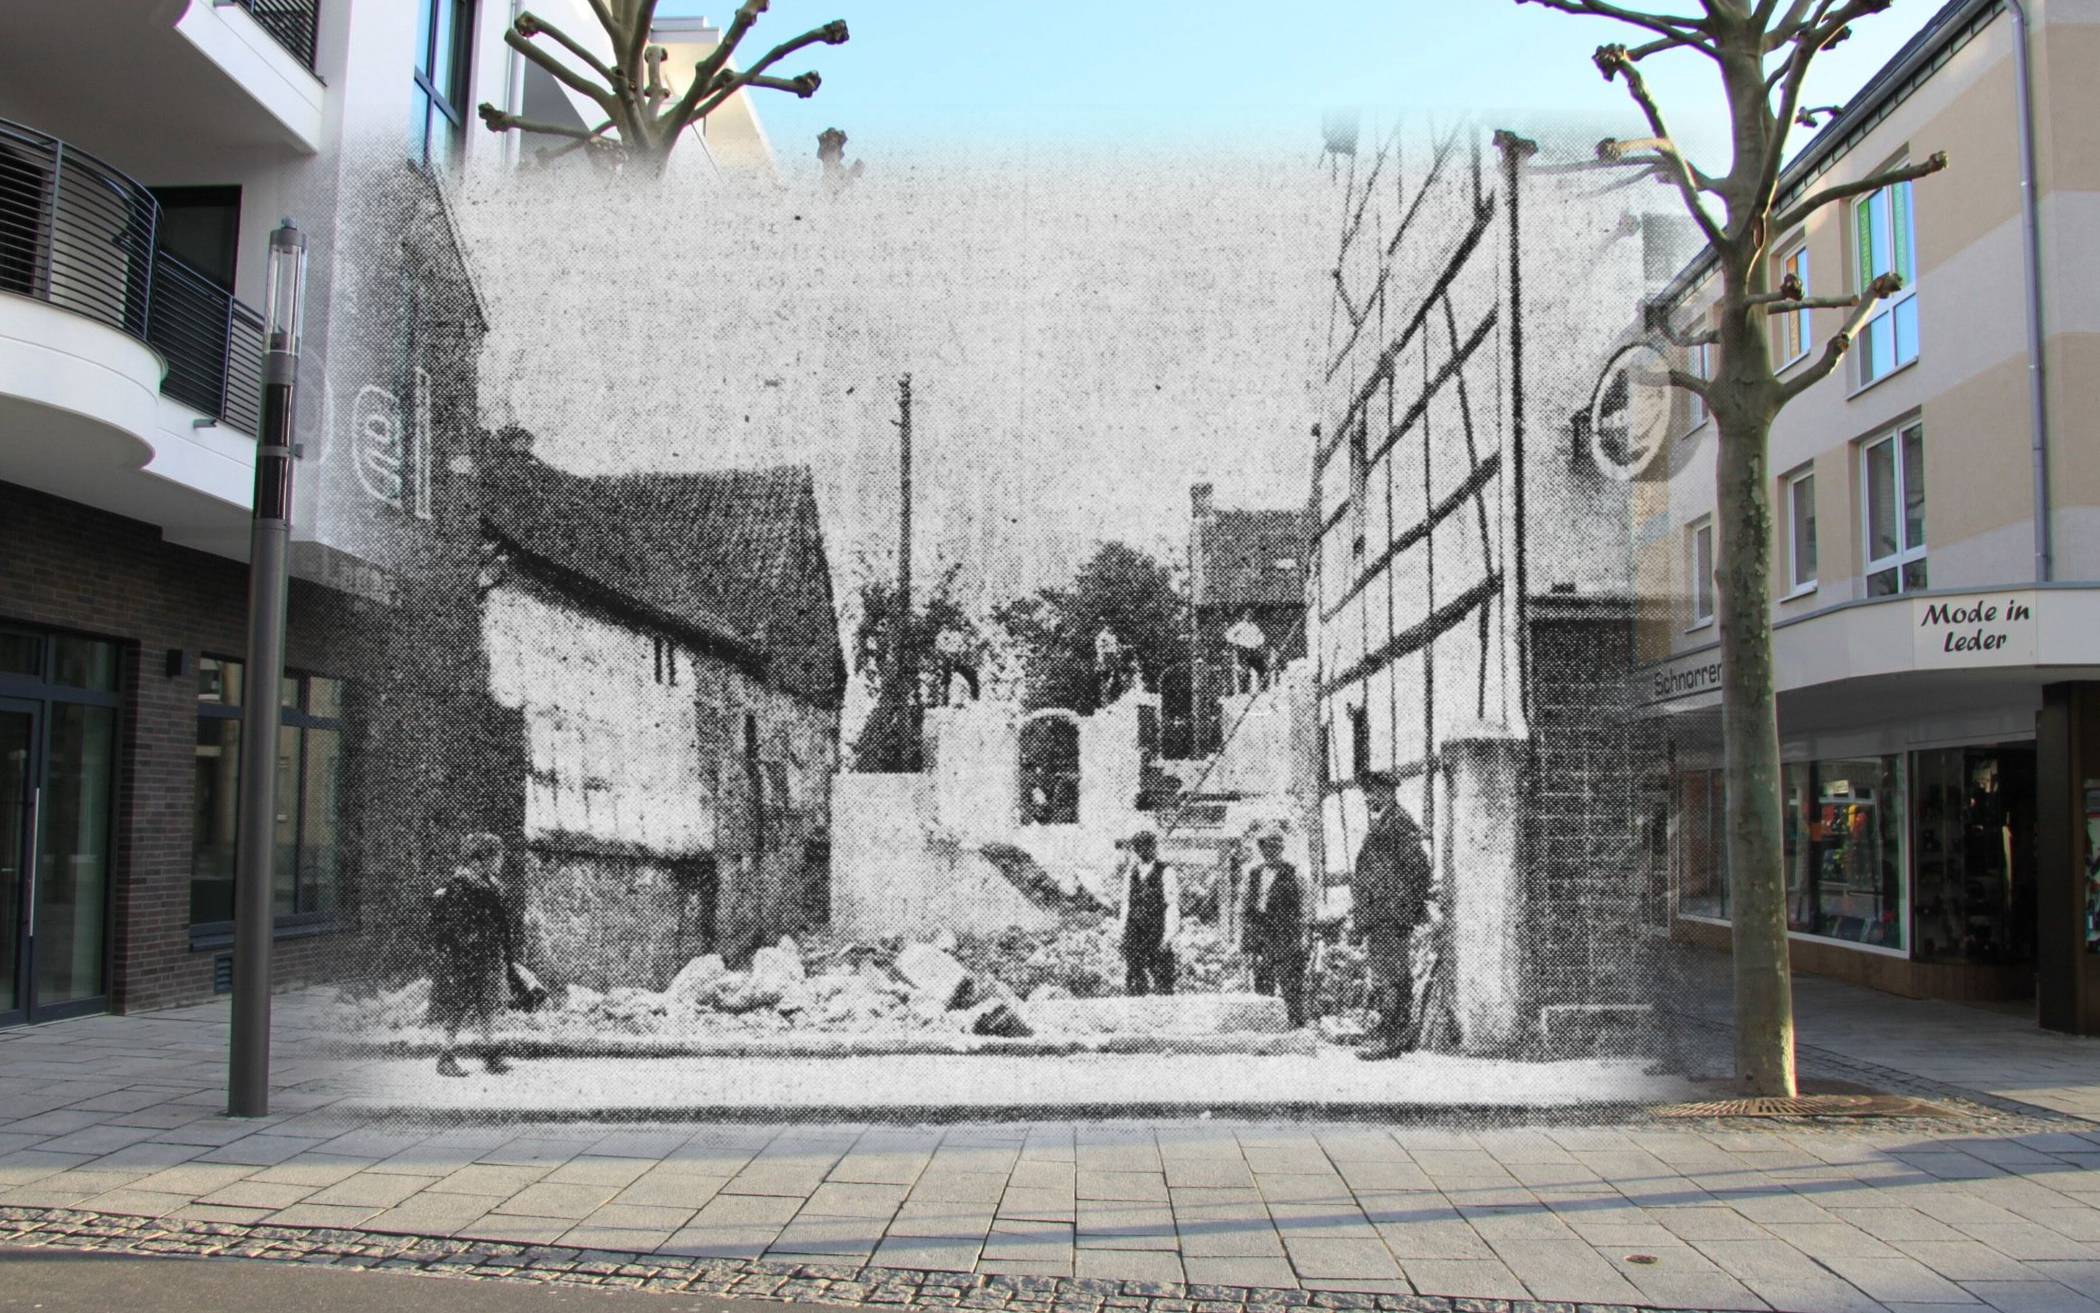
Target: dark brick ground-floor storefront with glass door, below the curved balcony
x,y
121,709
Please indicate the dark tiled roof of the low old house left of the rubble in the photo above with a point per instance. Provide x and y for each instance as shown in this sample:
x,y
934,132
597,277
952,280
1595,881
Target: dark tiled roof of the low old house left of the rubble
x,y
730,558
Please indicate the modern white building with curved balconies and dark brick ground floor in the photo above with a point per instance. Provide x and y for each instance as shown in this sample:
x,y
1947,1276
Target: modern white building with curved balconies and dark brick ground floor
x,y
148,150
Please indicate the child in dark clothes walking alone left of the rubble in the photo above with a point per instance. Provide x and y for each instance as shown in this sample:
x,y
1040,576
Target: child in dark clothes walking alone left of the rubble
x,y
476,949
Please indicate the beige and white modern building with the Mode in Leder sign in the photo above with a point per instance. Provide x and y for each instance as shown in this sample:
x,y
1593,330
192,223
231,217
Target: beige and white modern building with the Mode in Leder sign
x,y
1937,518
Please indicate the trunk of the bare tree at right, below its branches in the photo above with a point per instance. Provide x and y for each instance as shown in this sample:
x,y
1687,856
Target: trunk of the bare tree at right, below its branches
x,y
1750,730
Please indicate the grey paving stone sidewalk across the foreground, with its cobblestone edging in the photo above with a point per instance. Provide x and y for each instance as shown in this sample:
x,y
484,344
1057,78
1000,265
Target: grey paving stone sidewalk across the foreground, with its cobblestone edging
x,y
112,1133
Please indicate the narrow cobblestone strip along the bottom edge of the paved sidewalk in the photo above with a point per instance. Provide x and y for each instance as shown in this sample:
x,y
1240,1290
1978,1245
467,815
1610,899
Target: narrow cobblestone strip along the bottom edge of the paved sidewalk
x,y
721,1278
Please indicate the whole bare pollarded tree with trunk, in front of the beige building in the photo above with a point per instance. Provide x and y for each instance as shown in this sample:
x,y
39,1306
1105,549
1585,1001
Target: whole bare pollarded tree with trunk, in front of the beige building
x,y
1763,51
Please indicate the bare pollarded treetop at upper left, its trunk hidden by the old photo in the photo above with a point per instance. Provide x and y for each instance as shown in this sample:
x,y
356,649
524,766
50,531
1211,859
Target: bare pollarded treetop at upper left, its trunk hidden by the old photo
x,y
631,89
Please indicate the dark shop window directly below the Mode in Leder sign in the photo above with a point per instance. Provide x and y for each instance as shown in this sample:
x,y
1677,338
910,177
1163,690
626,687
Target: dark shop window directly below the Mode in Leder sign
x,y
1975,862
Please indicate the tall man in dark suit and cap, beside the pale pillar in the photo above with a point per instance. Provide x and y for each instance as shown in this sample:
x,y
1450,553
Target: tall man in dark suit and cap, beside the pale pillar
x,y
1391,894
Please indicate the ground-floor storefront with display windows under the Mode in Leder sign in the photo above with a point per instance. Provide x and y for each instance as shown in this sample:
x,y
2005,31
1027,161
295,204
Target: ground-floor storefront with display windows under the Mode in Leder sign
x,y
1941,827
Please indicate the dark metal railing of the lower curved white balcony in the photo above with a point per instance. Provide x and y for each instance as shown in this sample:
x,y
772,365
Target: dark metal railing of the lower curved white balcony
x,y
81,236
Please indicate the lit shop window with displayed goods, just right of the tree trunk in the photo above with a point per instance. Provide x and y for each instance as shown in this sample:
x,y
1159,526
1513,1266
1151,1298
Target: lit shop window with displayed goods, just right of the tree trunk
x,y
1847,850
